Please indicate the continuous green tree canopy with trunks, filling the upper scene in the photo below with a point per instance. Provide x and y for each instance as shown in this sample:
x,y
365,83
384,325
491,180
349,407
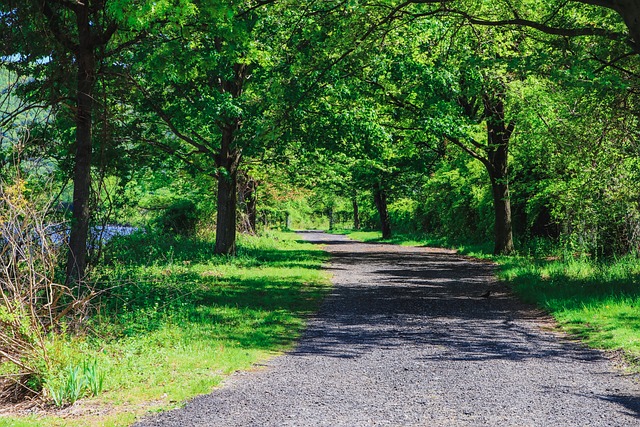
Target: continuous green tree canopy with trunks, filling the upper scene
x,y
375,103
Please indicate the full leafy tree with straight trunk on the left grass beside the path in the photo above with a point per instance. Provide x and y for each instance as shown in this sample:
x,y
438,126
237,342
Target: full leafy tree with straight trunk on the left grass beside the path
x,y
208,106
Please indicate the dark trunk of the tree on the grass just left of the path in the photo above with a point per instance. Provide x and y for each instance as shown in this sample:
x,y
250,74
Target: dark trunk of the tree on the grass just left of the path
x,y
227,163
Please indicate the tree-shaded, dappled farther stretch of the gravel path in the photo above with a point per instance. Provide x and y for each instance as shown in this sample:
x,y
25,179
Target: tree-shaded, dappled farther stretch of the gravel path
x,y
425,297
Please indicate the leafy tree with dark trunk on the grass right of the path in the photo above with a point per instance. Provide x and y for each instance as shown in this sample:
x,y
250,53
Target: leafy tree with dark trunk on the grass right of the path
x,y
454,93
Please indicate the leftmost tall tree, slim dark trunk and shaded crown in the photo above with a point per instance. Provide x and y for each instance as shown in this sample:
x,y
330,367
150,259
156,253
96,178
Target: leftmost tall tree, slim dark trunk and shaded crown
x,y
73,36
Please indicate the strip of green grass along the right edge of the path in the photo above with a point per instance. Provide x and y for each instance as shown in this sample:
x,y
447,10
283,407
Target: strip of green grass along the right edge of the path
x,y
596,301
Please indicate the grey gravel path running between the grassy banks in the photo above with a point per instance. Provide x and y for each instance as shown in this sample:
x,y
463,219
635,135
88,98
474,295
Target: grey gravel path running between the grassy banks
x,y
405,339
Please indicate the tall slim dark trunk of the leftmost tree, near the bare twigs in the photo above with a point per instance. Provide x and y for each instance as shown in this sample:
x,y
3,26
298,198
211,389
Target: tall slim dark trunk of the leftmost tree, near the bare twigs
x,y
85,57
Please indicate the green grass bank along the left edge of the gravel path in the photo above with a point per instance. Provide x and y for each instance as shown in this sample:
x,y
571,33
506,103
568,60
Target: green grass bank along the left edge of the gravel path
x,y
175,320
